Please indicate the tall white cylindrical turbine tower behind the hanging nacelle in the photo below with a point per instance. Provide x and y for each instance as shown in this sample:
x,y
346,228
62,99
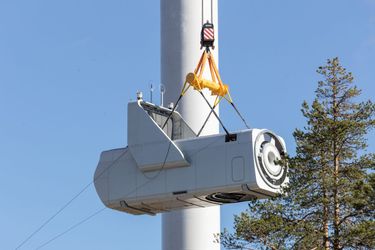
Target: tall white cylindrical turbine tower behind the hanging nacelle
x,y
181,22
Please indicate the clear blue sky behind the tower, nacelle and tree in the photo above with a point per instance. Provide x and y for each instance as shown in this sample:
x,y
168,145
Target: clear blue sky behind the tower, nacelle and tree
x,y
68,69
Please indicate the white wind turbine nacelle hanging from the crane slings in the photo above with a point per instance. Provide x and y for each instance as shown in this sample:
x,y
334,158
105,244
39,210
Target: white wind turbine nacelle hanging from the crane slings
x,y
168,169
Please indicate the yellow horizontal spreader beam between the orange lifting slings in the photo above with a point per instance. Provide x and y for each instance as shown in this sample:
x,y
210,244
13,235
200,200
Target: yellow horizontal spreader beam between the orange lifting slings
x,y
200,83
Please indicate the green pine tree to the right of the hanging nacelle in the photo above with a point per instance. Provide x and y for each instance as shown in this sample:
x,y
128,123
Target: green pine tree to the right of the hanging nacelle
x,y
330,200
